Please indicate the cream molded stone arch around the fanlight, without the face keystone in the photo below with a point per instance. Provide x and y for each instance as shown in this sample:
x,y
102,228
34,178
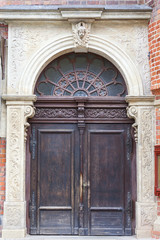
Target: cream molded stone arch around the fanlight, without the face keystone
x,y
96,45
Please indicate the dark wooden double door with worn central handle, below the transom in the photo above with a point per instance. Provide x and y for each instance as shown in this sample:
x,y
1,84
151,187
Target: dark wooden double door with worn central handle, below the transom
x,y
81,179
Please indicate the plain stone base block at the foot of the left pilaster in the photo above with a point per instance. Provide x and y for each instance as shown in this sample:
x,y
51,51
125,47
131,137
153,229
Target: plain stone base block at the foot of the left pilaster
x,y
14,233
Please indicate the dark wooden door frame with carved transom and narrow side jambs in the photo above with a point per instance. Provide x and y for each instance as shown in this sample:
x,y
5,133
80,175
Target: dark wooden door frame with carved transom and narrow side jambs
x,y
88,111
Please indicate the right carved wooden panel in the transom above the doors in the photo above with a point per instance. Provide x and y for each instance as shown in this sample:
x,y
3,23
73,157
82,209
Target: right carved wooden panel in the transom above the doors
x,y
105,113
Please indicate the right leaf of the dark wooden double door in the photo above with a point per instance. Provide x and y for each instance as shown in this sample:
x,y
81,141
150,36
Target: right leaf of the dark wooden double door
x,y
106,174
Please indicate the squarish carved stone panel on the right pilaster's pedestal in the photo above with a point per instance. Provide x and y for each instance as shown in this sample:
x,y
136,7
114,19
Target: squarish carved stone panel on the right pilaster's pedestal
x,y
148,215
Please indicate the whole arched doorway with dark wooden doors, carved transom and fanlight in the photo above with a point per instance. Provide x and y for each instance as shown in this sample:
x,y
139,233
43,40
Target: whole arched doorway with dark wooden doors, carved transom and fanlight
x,y
81,150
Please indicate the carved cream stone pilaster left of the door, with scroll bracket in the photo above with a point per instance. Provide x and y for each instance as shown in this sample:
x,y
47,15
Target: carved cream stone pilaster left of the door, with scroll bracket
x,y
14,224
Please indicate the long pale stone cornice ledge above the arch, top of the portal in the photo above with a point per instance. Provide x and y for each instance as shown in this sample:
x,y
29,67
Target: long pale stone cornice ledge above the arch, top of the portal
x,y
44,13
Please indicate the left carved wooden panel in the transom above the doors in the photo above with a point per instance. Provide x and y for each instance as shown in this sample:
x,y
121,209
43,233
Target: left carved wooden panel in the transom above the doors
x,y
55,113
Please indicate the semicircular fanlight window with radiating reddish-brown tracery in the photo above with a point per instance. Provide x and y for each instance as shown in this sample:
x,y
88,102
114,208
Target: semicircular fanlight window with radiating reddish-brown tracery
x,y
80,75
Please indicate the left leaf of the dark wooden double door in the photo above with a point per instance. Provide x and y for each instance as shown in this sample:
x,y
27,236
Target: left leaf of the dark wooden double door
x,y
56,182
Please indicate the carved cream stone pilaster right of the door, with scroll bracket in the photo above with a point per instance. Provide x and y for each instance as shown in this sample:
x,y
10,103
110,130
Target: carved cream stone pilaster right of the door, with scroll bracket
x,y
144,116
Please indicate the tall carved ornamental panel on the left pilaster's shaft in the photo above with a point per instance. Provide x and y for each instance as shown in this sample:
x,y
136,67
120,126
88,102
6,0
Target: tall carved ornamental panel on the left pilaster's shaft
x,y
14,184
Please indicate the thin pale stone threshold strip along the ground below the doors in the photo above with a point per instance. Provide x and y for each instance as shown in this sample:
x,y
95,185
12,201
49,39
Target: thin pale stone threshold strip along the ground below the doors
x,y
28,237
